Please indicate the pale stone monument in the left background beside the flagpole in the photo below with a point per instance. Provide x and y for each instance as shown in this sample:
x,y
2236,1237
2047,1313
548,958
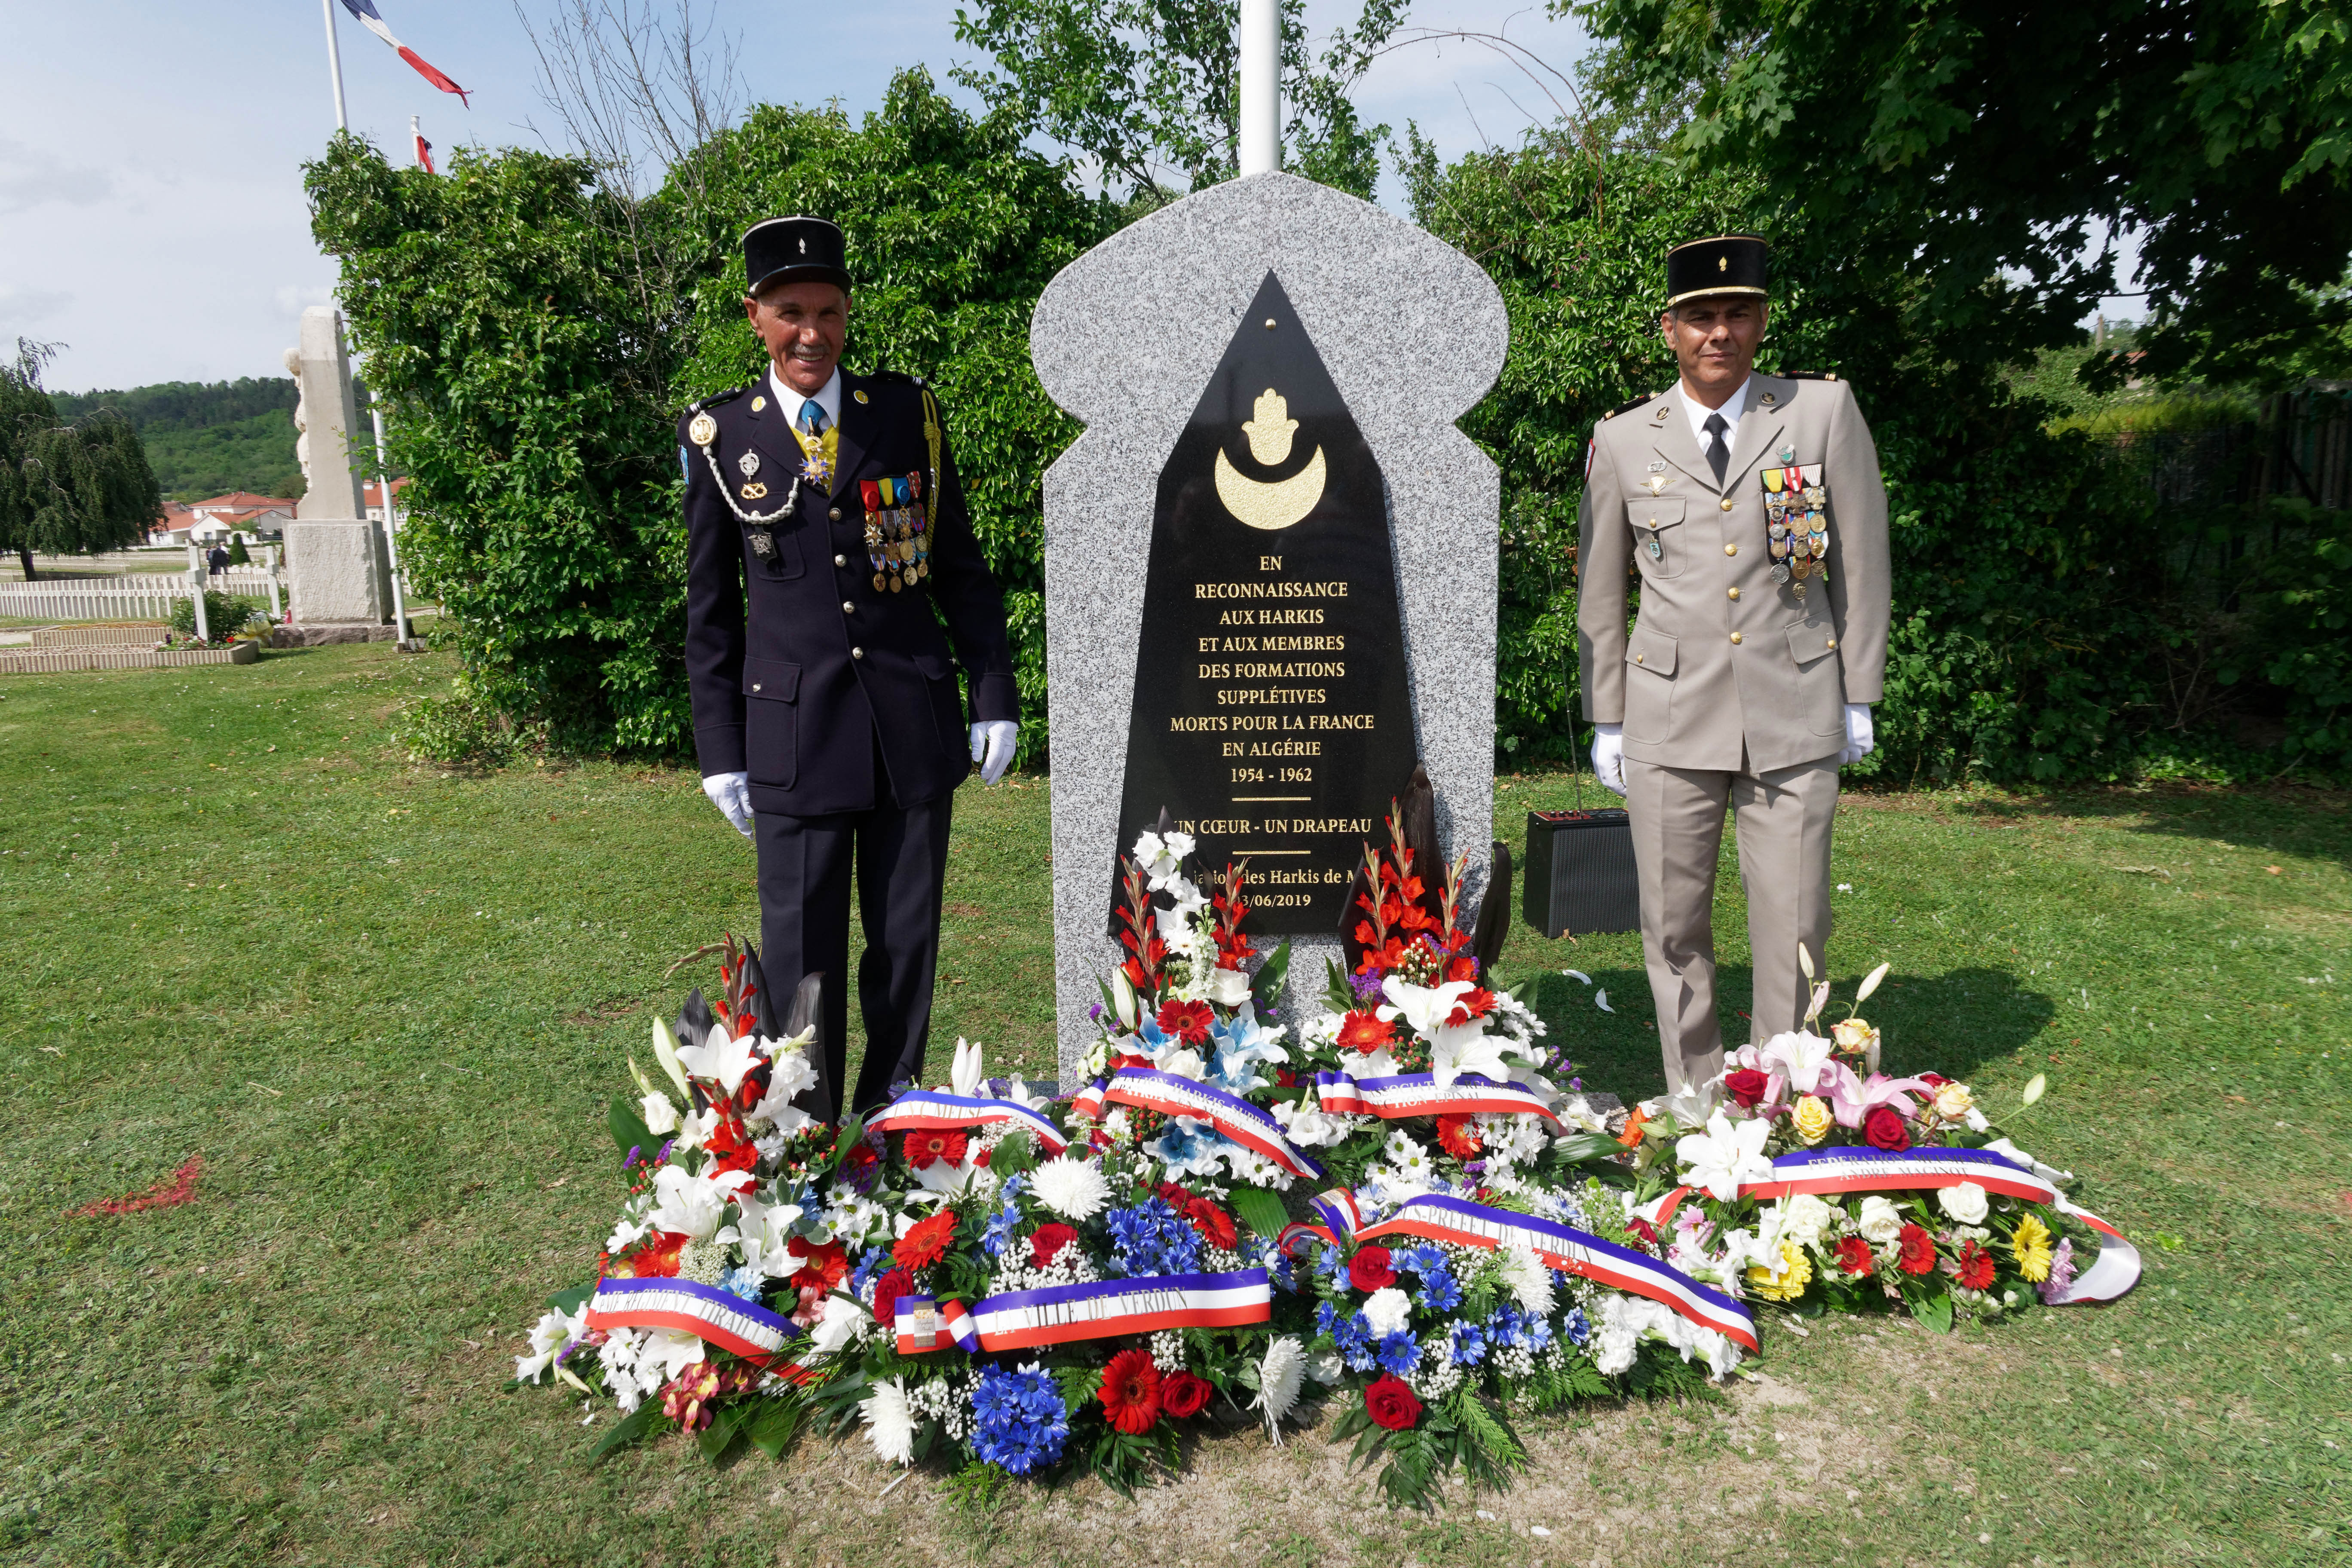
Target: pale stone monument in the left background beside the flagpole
x,y
338,563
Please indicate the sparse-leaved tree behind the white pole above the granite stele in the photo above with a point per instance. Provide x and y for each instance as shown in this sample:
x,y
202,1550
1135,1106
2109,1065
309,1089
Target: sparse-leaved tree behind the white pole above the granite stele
x,y
1147,91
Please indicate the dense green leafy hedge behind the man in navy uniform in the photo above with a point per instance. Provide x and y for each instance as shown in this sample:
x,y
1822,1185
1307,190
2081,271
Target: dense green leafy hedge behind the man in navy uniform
x,y
537,333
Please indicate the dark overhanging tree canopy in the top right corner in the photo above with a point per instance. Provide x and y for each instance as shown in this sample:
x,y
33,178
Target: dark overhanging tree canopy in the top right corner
x,y
1979,159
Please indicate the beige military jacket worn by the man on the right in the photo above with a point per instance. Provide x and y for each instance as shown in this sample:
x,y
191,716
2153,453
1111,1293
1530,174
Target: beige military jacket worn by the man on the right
x,y
1725,666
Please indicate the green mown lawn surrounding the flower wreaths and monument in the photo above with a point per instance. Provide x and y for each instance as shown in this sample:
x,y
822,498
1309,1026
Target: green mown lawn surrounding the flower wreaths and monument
x,y
387,1007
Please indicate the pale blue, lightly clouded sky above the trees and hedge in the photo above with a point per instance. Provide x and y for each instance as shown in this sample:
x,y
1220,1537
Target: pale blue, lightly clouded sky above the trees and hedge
x,y
152,210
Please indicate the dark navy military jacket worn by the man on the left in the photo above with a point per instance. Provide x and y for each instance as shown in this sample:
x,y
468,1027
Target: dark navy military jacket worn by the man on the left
x,y
796,662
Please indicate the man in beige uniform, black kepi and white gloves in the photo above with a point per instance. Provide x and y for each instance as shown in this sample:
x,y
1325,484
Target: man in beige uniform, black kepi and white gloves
x,y
1756,516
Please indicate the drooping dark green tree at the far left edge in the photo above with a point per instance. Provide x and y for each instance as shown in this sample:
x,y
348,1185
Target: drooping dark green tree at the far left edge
x,y
67,488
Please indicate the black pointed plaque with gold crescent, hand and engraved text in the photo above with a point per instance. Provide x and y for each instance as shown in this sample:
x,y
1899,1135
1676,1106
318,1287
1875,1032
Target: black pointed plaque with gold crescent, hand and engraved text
x,y
1271,713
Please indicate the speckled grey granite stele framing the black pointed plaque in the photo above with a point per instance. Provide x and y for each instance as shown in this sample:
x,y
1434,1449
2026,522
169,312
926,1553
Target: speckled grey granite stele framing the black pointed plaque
x,y
1401,337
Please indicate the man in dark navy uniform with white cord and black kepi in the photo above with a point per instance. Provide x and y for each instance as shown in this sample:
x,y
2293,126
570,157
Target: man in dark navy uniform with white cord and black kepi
x,y
829,568
